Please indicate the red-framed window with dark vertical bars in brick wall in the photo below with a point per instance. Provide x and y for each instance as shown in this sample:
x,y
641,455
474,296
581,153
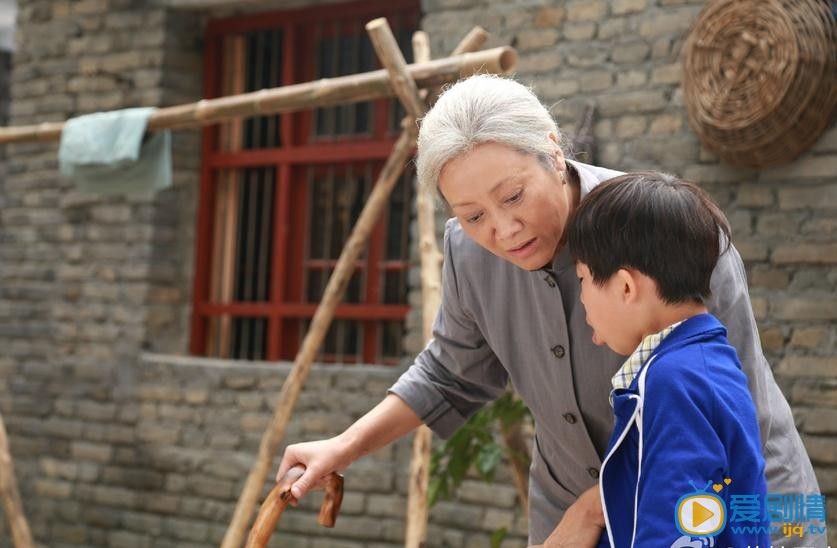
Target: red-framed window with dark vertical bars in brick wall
x,y
280,194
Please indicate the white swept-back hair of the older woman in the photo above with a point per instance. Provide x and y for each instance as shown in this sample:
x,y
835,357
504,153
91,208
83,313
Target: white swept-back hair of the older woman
x,y
479,109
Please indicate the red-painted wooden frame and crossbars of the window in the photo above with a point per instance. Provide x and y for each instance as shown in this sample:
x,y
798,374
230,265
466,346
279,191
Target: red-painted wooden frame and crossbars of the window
x,y
287,300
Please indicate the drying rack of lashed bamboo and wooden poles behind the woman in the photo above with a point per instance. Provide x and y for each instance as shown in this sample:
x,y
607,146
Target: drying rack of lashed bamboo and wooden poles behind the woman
x,y
397,78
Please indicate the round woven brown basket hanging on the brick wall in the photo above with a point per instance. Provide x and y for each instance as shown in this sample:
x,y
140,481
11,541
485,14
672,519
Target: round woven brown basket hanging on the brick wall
x,y
760,78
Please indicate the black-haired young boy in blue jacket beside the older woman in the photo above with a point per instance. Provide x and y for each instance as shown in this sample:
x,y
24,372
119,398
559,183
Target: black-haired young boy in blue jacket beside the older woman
x,y
686,440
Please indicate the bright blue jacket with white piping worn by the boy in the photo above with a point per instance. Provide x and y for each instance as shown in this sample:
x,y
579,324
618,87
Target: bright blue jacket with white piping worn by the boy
x,y
687,417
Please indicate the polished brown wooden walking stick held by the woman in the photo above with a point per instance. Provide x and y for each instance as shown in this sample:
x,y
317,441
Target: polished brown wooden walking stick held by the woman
x,y
279,498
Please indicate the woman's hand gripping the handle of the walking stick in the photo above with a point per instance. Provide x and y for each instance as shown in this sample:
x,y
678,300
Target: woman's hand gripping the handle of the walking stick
x,y
318,458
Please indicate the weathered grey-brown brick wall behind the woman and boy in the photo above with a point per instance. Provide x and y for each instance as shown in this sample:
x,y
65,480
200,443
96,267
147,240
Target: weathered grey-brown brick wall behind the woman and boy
x,y
114,447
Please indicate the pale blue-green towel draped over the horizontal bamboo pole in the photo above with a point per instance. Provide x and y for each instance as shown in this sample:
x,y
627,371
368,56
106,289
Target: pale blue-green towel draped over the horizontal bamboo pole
x,y
107,153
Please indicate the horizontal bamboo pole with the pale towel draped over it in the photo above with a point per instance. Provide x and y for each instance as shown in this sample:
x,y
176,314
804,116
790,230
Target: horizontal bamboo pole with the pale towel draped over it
x,y
319,93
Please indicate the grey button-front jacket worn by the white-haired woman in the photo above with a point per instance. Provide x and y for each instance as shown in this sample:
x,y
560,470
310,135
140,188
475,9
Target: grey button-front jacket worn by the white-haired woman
x,y
499,322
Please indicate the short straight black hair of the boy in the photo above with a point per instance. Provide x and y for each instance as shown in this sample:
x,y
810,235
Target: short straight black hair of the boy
x,y
665,228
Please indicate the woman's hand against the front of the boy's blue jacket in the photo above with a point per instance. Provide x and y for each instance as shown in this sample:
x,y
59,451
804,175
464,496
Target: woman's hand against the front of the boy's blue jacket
x,y
582,524
